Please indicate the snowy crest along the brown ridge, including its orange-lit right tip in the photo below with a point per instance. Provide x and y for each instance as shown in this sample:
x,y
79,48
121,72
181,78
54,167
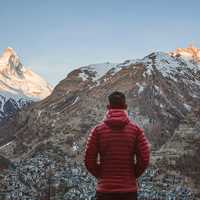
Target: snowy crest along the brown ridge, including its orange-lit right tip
x,y
168,64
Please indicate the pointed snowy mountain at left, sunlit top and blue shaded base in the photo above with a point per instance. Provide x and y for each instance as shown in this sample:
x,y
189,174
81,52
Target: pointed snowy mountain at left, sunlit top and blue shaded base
x,y
18,86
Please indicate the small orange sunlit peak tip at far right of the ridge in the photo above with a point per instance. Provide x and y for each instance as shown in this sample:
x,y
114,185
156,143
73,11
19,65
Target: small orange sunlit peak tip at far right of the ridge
x,y
190,53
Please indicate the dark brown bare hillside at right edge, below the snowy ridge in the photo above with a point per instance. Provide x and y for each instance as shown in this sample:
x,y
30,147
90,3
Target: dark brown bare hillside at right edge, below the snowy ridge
x,y
180,154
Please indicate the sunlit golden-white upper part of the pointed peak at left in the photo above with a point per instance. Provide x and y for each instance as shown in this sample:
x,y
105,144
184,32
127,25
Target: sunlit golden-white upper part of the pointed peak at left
x,y
17,80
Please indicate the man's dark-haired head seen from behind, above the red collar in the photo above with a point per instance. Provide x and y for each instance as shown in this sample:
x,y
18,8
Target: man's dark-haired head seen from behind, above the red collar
x,y
117,100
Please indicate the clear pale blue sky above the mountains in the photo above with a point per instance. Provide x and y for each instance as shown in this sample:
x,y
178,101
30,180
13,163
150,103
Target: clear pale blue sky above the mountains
x,y
54,37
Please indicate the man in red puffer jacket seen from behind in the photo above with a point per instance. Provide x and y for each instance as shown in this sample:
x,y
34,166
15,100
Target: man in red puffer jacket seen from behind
x,y
117,153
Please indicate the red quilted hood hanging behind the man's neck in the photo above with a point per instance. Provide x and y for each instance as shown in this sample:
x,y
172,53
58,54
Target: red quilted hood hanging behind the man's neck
x,y
116,118
